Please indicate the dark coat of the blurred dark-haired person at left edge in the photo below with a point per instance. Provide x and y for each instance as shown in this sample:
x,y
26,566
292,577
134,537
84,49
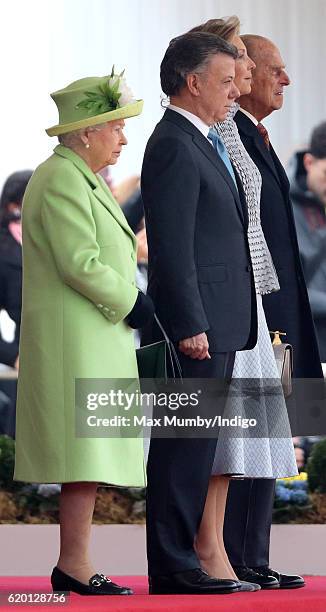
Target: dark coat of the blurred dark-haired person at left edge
x,y
10,291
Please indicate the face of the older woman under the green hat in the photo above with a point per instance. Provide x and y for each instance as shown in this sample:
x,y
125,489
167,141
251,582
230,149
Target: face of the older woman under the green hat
x,y
106,144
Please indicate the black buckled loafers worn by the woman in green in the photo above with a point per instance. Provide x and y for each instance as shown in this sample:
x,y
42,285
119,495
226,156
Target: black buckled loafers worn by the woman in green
x,y
98,585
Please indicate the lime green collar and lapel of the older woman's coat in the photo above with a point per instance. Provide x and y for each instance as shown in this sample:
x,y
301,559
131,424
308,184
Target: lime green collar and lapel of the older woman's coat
x,y
100,188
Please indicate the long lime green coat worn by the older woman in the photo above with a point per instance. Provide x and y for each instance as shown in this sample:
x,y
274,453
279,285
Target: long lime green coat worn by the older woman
x,y
79,262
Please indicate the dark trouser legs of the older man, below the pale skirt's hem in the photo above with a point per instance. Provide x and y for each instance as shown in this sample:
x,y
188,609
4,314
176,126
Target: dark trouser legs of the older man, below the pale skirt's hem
x,y
248,519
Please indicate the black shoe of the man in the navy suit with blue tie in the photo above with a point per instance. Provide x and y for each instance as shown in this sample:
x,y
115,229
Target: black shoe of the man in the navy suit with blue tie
x,y
191,582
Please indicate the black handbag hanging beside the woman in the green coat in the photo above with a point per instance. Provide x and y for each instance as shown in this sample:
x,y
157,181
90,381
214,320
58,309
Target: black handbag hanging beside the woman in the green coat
x,y
159,359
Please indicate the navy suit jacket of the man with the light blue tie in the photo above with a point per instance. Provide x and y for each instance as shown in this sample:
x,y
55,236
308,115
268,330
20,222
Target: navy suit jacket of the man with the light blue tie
x,y
200,276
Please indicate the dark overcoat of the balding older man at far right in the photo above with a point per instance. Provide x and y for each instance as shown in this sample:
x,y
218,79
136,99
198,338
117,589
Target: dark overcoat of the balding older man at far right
x,y
287,310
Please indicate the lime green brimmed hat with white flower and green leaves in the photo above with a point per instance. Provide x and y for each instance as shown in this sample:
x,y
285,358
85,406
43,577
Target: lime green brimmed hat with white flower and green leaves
x,y
93,100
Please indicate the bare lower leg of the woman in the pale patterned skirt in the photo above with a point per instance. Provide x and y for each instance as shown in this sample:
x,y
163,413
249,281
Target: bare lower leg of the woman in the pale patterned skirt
x,y
209,543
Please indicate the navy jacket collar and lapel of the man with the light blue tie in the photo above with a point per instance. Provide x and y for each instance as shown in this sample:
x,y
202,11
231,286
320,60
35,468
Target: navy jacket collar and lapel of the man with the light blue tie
x,y
206,148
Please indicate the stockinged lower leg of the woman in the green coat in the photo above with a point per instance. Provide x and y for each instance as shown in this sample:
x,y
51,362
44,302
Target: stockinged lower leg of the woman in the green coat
x,y
76,512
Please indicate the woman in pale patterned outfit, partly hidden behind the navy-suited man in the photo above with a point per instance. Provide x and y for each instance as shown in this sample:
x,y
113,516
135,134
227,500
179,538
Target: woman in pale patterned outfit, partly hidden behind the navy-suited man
x,y
238,456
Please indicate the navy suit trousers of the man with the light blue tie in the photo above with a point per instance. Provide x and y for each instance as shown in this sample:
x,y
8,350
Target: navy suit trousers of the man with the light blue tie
x,y
178,472
